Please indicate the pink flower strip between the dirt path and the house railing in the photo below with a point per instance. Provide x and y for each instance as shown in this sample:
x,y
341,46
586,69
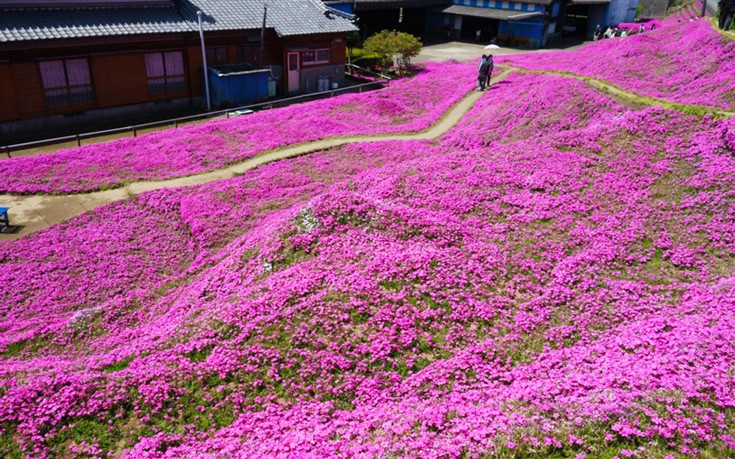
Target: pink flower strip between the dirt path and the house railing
x,y
406,105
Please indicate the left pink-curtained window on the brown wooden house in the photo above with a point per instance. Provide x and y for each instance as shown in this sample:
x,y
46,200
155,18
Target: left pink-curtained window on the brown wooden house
x,y
66,82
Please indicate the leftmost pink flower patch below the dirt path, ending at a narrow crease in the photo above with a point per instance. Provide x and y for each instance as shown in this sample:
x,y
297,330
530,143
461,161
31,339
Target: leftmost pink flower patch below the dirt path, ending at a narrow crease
x,y
66,277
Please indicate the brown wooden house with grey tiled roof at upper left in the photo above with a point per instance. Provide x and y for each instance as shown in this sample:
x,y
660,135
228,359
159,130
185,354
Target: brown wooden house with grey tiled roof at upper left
x,y
68,63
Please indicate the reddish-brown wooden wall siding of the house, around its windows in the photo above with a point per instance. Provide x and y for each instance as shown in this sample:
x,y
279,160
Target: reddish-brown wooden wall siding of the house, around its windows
x,y
117,66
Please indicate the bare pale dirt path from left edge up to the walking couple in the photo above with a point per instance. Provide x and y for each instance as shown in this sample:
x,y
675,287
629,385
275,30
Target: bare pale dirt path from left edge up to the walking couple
x,y
37,212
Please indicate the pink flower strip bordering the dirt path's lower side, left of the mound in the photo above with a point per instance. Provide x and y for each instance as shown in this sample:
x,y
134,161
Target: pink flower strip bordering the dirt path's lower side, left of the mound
x,y
112,261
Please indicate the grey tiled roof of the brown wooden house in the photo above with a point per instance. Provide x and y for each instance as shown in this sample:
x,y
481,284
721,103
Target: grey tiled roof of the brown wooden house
x,y
287,17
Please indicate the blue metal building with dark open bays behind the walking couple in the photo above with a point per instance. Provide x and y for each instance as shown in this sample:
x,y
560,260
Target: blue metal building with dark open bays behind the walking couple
x,y
521,23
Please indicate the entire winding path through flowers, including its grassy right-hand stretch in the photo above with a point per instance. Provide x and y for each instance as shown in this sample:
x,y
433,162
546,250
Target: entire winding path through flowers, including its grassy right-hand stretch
x,y
37,212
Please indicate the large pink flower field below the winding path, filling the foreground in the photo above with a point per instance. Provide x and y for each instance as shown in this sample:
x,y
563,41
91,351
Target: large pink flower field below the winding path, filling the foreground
x,y
553,278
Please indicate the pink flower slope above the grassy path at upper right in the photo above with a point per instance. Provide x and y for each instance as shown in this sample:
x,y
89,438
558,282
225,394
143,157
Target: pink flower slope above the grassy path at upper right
x,y
685,62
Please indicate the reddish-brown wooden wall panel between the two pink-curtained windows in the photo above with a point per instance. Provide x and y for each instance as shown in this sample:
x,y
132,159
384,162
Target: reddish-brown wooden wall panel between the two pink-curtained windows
x,y
119,79
